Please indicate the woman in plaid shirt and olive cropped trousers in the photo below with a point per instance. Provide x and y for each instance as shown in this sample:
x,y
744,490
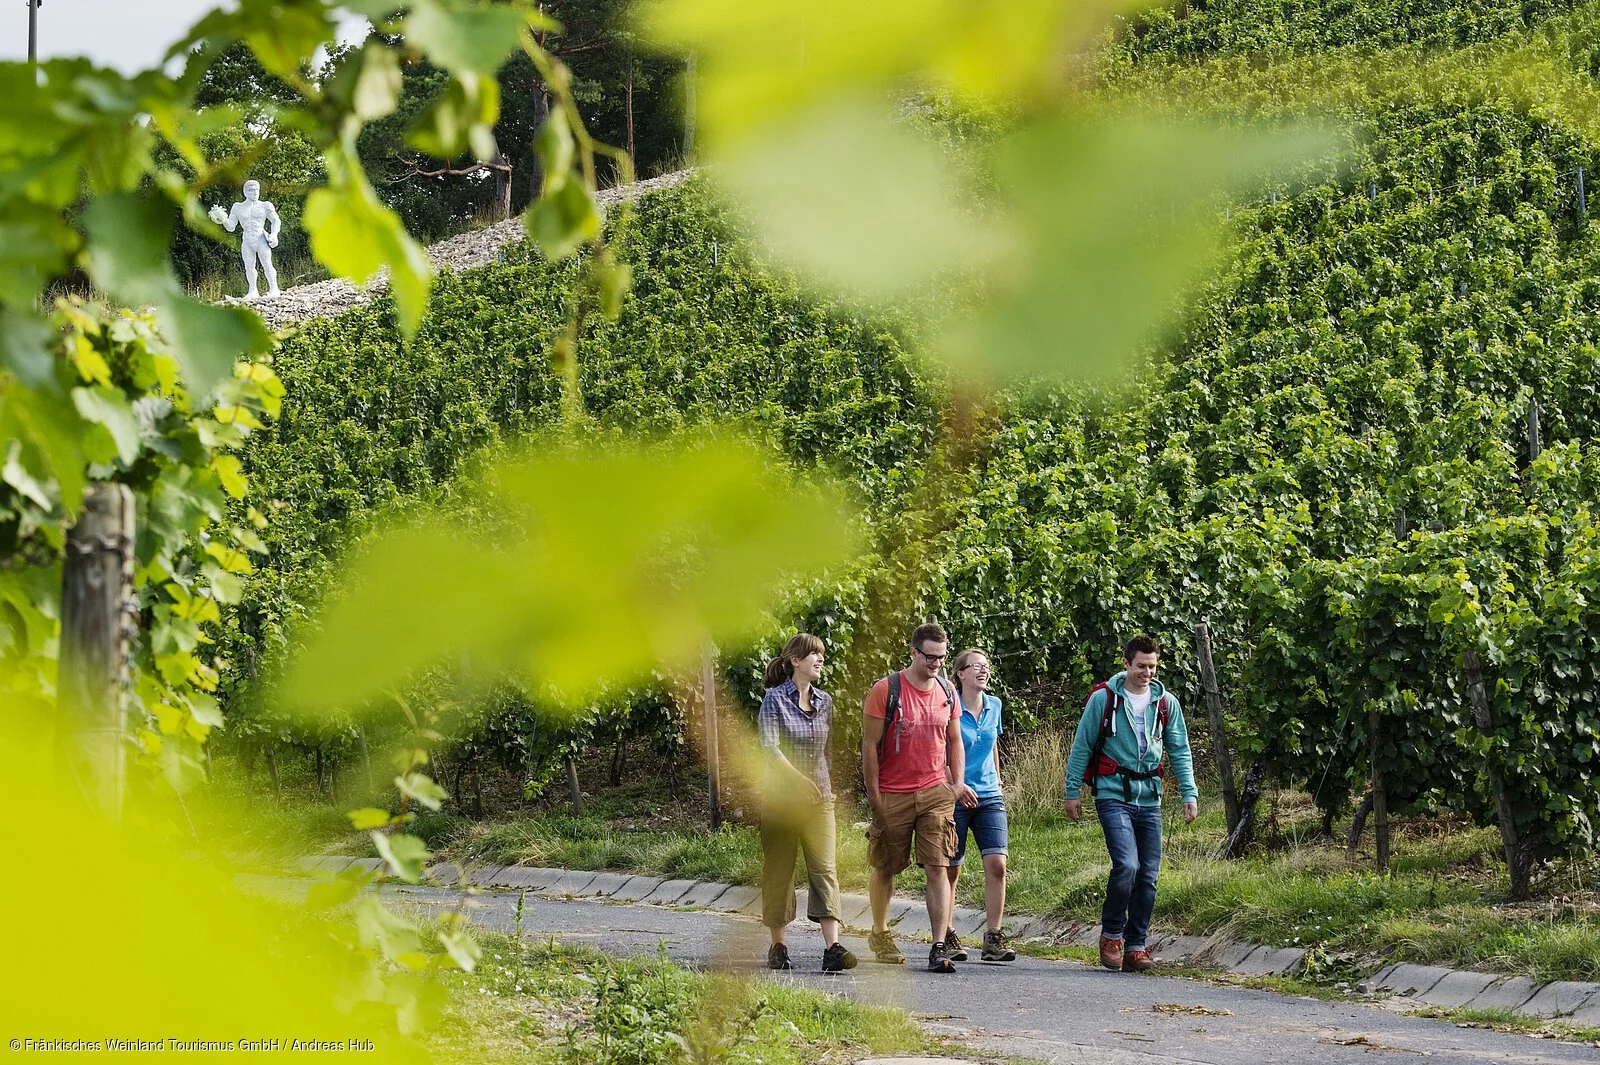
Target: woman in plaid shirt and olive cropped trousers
x,y
798,810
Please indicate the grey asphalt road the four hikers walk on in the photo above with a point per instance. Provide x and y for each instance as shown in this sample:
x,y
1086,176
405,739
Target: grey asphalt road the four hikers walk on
x,y
1052,1011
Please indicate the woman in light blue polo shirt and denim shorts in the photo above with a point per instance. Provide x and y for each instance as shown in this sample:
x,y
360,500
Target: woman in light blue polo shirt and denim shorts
x,y
986,820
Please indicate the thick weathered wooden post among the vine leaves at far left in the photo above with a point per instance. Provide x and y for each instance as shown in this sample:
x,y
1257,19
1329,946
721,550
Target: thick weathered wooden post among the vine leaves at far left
x,y
97,597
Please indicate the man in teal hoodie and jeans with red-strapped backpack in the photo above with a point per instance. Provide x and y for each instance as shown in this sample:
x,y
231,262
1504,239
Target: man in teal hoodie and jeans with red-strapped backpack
x,y
1124,765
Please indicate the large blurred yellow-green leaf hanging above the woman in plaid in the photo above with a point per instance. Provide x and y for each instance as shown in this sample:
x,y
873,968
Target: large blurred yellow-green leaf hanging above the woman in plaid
x,y
577,597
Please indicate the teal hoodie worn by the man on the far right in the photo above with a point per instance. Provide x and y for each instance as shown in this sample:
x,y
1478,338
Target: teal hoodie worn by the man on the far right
x,y
1124,746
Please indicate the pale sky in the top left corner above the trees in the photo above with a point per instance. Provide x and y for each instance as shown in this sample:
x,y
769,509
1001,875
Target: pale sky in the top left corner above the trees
x,y
126,34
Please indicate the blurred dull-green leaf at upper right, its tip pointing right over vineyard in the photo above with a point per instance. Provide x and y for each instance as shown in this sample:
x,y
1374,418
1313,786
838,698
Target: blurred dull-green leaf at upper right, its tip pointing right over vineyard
x,y
1113,221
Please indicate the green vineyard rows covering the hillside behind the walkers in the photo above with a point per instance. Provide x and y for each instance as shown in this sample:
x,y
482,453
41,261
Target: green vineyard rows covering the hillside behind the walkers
x,y
1330,465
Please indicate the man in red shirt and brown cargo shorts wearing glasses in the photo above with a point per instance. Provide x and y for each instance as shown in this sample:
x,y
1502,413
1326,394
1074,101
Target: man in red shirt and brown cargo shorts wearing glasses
x,y
913,764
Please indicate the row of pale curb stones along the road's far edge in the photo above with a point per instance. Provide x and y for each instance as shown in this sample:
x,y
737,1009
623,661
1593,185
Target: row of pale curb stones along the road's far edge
x,y
1434,986
